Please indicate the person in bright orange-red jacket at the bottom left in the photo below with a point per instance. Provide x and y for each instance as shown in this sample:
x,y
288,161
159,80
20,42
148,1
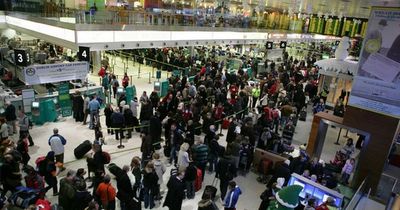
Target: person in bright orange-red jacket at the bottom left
x,y
106,193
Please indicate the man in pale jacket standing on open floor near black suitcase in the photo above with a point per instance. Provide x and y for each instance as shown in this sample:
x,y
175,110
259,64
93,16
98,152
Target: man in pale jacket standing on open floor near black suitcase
x,y
57,142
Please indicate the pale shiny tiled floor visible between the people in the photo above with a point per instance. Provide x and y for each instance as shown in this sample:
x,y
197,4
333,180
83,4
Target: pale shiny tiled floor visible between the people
x,y
75,133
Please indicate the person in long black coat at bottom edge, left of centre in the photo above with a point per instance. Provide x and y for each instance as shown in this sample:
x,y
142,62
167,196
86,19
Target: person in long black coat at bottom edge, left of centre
x,y
176,191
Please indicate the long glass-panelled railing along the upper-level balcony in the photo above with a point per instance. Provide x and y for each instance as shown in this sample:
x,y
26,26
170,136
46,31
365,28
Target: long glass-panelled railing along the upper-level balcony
x,y
117,16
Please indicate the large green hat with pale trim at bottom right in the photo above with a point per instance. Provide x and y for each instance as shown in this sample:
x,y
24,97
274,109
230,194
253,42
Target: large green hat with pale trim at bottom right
x,y
289,196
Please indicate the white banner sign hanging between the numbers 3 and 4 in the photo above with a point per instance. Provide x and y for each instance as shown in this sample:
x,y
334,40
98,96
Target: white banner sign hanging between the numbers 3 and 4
x,y
49,73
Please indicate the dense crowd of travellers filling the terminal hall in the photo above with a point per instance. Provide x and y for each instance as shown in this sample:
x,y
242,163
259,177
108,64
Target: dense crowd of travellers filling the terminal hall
x,y
184,127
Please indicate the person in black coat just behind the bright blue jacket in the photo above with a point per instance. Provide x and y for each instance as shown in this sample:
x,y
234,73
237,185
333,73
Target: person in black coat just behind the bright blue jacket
x,y
225,171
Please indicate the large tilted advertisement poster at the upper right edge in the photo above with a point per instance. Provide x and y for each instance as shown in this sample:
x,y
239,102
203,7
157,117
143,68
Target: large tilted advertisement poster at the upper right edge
x,y
377,84
